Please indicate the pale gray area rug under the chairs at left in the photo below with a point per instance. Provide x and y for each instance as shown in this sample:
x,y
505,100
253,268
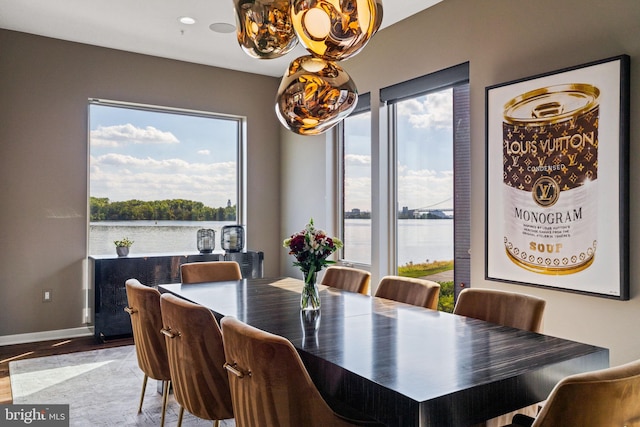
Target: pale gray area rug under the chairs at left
x,y
102,388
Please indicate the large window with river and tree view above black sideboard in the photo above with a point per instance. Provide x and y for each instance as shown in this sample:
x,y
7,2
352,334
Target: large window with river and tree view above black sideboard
x,y
157,175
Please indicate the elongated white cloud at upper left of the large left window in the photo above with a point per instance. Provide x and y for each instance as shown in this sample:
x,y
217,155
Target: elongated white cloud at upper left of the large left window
x,y
119,135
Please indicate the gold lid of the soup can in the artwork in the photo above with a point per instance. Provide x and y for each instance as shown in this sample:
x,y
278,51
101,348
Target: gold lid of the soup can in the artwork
x,y
552,104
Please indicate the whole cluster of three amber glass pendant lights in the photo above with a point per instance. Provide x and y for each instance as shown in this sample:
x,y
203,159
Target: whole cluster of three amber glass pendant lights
x,y
315,92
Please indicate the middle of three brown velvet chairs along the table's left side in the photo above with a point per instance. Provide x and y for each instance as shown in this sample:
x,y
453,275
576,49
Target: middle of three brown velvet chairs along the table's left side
x,y
196,359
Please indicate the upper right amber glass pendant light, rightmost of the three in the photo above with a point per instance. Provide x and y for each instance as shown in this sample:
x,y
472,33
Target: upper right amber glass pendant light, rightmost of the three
x,y
335,29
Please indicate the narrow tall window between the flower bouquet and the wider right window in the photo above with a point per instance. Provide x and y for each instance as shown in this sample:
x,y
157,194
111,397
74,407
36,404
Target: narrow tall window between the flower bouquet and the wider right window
x,y
356,184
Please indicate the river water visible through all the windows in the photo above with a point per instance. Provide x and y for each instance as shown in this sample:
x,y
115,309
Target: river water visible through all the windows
x,y
419,240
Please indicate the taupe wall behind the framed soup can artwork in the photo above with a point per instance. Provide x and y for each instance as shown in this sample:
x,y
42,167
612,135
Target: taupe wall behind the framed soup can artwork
x,y
505,40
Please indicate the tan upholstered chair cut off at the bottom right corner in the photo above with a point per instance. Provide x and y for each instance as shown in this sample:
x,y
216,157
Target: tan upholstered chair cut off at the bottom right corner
x,y
607,397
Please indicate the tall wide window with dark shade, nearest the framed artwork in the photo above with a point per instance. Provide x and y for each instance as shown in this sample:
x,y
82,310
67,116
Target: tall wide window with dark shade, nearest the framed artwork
x,y
429,132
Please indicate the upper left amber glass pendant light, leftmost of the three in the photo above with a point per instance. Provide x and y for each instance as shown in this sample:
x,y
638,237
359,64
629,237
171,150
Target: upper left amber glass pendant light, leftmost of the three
x,y
264,27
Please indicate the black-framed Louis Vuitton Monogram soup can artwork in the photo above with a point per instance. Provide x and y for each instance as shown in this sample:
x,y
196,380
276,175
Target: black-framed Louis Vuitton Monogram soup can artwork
x,y
557,150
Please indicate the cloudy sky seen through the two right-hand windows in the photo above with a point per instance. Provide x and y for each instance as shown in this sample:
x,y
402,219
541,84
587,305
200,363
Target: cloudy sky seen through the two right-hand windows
x,y
424,155
